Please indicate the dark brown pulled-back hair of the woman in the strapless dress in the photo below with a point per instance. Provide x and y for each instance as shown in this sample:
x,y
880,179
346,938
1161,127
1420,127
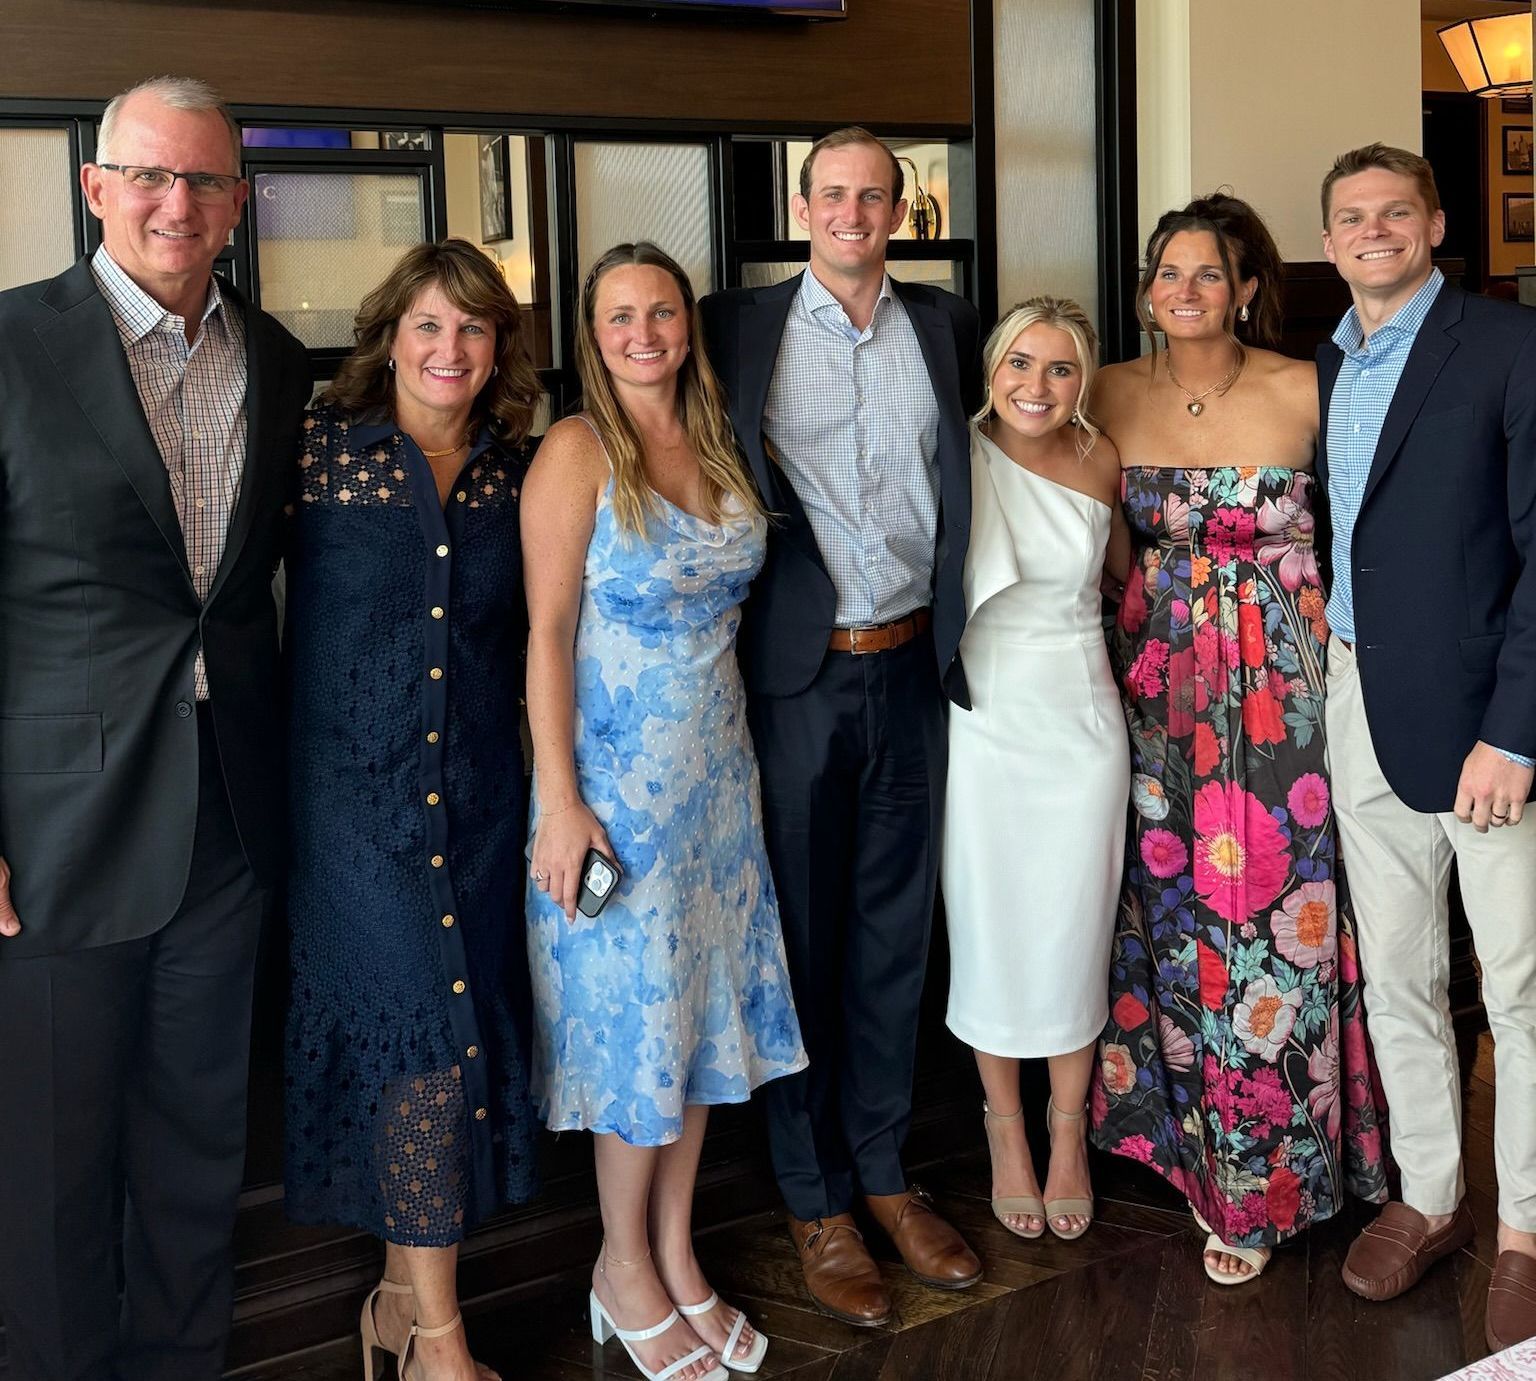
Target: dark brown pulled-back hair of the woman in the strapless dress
x,y
1248,251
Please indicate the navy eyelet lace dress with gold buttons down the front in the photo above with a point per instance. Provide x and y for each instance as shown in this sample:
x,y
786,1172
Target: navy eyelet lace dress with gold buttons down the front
x,y
408,1033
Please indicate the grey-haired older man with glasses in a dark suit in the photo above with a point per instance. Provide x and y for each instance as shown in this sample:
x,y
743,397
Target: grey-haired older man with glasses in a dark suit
x,y
148,422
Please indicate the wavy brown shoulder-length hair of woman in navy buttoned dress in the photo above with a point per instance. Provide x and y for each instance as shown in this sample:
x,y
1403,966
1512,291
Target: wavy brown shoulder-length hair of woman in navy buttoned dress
x,y
365,385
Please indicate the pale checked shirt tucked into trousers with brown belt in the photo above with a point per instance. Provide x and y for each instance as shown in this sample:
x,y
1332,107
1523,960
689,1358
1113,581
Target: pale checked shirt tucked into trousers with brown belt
x,y
856,425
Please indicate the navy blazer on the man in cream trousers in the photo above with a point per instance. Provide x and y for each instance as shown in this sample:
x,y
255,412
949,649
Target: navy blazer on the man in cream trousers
x,y
1443,566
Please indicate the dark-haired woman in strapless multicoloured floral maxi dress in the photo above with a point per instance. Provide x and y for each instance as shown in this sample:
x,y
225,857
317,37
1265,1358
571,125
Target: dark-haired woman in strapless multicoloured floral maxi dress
x,y
1236,1061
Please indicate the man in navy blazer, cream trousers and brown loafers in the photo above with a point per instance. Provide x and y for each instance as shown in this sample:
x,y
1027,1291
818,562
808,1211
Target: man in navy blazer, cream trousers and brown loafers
x,y
1429,455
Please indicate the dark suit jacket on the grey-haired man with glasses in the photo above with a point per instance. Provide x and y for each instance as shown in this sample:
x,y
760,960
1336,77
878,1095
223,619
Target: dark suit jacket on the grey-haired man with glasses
x,y
101,626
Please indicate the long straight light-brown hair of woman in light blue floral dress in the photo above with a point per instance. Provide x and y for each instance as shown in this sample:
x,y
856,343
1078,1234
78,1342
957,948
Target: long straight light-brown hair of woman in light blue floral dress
x,y
701,405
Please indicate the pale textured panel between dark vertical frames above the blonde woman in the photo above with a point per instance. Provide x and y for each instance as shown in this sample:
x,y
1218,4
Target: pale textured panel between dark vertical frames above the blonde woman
x,y
1047,185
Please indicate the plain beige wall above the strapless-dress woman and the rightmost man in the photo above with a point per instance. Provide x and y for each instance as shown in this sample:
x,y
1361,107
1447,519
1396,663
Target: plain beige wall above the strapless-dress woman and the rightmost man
x,y
1270,94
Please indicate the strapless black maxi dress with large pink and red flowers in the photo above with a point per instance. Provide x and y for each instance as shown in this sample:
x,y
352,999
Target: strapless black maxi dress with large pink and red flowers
x,y
1236,1061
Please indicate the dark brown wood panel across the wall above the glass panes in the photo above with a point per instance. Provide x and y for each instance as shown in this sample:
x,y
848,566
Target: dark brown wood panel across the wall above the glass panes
x,y
895,64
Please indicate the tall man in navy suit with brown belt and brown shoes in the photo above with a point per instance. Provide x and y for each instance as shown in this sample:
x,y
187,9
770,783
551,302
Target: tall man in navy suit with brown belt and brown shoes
x,y
849,392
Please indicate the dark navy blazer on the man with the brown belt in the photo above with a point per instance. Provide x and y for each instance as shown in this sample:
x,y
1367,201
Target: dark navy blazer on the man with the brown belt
x,y
793,604
